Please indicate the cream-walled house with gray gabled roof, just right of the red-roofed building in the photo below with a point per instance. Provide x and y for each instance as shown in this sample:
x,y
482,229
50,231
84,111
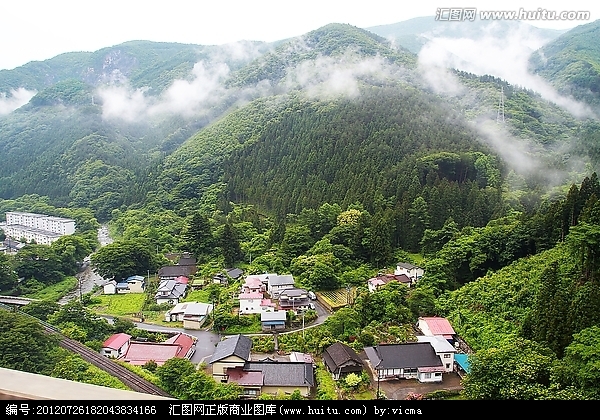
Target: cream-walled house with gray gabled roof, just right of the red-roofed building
x,y
233,352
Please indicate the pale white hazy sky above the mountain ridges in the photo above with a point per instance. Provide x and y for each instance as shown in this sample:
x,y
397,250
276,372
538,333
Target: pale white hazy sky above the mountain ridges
x,y
41,29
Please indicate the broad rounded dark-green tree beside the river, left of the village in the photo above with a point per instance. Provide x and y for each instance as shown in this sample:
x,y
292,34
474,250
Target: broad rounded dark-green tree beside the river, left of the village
x,y
122,259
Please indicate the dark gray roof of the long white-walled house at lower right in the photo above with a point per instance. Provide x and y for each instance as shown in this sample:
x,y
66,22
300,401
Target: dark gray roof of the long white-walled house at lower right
x,y
407,355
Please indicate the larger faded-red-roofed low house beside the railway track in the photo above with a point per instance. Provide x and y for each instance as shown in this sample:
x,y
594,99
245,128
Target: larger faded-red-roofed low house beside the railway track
x,y
180,345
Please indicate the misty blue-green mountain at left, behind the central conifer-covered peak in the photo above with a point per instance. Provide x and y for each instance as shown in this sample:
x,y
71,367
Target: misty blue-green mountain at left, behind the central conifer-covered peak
x,y
94,121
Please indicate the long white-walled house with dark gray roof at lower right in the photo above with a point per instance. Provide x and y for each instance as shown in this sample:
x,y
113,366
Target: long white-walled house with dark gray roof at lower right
x,y
405,361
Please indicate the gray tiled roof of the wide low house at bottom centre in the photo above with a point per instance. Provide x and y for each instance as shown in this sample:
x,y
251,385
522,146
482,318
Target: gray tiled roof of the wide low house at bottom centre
x,y
284,373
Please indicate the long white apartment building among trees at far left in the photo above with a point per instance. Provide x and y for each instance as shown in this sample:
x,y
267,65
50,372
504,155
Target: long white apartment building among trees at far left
x,y
40,228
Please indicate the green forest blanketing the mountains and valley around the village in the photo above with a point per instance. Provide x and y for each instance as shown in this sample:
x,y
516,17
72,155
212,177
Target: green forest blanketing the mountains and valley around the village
x,y
331,188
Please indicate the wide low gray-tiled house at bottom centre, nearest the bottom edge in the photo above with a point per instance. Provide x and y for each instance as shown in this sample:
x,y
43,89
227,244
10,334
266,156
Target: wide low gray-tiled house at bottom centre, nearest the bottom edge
x,y
273,377
